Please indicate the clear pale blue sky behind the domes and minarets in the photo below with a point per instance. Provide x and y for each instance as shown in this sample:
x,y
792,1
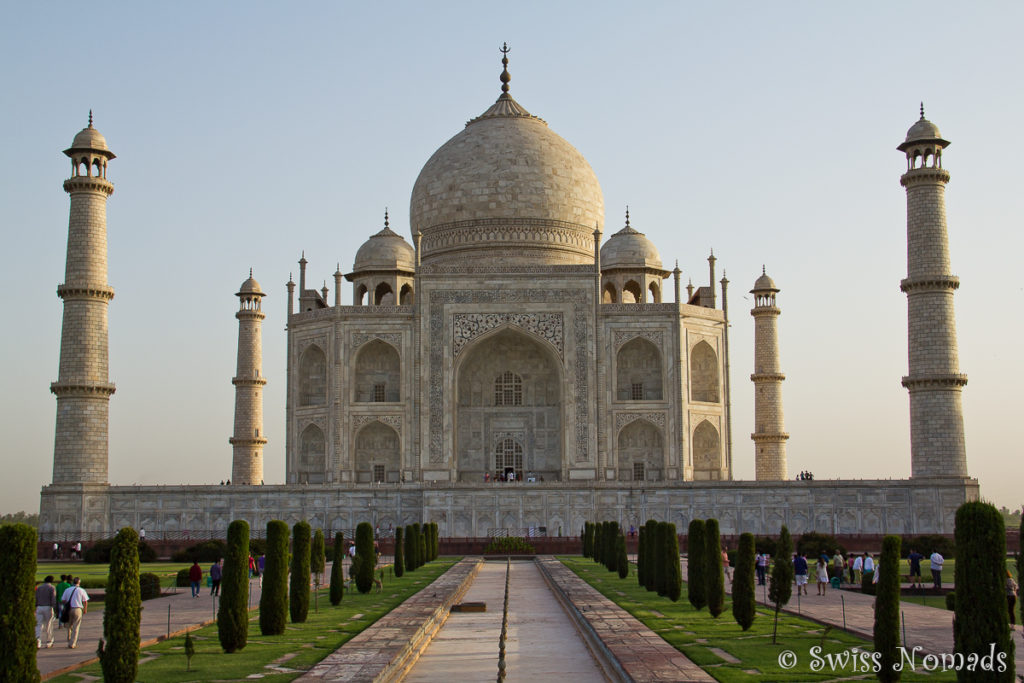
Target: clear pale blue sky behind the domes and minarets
x,y
248,133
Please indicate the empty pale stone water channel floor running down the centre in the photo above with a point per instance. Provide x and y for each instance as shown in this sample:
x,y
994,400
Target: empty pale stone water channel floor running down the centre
x,y
542,644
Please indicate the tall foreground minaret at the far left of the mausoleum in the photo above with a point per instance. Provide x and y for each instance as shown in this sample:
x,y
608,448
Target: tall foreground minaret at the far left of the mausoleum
x,y
83,389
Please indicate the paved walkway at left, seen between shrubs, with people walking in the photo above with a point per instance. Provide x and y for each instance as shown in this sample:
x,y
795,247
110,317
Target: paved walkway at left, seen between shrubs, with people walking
x,y
186,613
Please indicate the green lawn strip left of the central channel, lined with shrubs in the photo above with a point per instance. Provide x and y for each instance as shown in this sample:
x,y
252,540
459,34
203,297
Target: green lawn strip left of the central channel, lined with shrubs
x,y
278,659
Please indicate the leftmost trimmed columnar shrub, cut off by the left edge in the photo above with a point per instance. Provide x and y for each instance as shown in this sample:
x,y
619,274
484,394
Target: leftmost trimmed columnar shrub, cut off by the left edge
x,y
18,604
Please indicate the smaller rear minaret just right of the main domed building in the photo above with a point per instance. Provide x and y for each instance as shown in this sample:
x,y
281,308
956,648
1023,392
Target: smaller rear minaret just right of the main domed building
x,y
770,436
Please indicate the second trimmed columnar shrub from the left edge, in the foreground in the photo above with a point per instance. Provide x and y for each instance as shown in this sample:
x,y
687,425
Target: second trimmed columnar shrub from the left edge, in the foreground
x,y
122,608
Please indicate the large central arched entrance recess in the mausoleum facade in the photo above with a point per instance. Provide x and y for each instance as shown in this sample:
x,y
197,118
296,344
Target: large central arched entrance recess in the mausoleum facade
x,y
508,409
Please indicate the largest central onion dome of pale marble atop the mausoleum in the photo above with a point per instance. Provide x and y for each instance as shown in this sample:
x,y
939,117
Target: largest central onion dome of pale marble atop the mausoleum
x,y
507,191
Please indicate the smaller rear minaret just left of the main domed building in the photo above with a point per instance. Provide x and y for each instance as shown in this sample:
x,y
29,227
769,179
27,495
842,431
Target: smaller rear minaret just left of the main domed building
x,y
247,463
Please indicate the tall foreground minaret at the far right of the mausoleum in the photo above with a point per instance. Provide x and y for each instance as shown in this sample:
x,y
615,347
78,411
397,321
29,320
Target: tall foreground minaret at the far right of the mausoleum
x,y
935,382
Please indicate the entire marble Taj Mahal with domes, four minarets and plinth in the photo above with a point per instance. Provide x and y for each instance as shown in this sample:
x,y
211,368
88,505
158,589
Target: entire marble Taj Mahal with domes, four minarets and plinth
x,y
516,364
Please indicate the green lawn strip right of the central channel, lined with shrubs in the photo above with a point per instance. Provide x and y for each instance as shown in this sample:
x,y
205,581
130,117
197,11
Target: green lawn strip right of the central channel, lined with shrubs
x,y
696,633
